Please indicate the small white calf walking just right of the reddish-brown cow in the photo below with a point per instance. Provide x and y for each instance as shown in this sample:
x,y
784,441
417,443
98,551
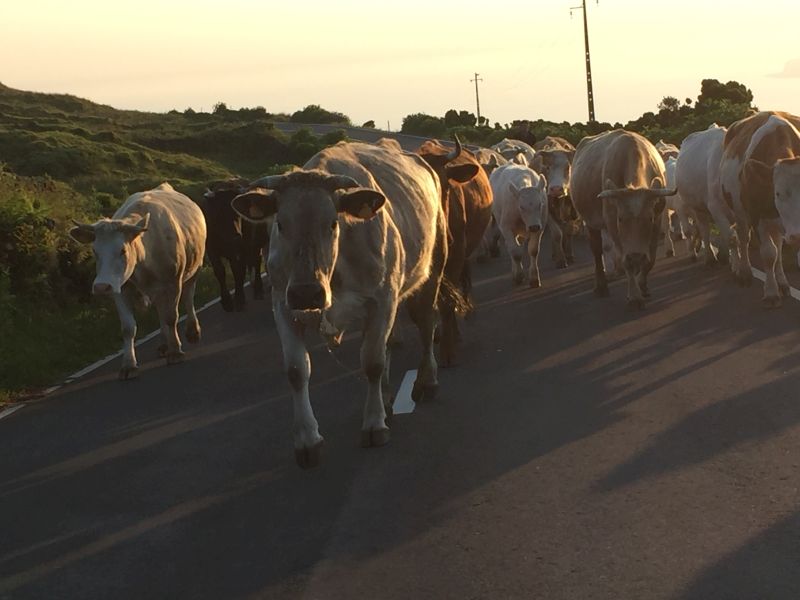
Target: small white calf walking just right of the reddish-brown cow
x,y
520,209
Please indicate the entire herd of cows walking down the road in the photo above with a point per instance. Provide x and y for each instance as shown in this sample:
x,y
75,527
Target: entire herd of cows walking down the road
x,y
362,228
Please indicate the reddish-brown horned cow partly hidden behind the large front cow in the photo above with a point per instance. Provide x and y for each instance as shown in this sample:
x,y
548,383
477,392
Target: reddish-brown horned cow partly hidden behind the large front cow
x,y
467,204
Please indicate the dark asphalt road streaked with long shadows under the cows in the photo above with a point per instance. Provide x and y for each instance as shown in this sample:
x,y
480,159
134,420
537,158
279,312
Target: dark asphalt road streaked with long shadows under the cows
x,y
579,450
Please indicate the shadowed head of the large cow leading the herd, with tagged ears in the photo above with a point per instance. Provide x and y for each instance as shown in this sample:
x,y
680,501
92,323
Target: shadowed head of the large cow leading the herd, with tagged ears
x,y
309,207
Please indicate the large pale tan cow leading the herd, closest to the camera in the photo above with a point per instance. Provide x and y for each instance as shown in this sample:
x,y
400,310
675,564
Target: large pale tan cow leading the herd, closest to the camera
x,y
358,230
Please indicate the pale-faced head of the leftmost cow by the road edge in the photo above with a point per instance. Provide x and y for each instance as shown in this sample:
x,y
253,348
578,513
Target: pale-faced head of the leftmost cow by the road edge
x,y
117,247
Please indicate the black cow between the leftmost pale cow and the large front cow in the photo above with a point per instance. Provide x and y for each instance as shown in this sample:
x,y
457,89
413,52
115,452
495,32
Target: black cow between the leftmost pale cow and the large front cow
x,y
235,239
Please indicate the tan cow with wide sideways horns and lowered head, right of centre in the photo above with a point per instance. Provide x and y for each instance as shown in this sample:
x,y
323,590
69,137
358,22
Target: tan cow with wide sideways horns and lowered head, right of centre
x,y
618,185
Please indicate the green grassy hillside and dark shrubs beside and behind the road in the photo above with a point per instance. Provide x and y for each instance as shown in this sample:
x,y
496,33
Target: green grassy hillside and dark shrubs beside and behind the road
x,y
63,158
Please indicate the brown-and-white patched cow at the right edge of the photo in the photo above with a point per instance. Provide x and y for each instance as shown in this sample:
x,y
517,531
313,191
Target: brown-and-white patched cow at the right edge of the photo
x,y
751,149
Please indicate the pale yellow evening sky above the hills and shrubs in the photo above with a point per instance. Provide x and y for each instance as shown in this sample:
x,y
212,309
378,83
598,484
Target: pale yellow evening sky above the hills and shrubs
x,y
384,60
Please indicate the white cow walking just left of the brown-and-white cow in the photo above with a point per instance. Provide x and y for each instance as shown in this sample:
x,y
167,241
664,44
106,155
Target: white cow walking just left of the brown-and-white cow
x,y
697,176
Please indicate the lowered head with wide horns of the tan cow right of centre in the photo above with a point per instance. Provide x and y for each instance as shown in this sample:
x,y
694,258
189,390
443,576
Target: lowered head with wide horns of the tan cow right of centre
x,y
633,216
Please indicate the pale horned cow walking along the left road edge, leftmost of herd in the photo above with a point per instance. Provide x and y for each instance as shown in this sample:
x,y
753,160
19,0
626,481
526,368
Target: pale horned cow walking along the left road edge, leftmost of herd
x,y
156,241
